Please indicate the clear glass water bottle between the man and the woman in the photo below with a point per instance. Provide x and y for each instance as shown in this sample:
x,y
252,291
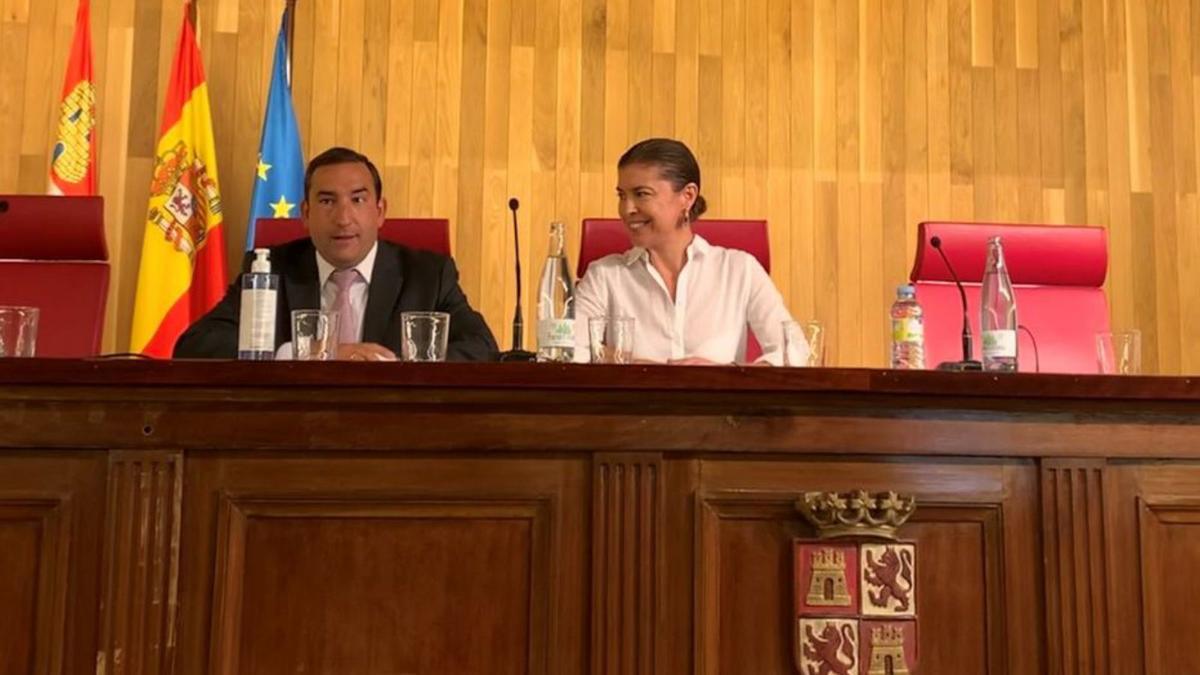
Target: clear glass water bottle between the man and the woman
x,y
556,303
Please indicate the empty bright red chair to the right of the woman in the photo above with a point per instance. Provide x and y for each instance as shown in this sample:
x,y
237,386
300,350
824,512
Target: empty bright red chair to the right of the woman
x,y
1058,273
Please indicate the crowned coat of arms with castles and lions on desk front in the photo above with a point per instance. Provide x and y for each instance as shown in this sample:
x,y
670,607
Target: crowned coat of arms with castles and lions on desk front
x,y
856,587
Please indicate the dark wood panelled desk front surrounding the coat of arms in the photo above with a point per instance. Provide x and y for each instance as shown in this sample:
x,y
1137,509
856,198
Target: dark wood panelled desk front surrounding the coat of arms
x,y
459,519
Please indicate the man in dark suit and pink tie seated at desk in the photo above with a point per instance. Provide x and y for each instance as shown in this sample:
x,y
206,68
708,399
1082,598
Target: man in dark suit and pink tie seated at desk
x,y
343,265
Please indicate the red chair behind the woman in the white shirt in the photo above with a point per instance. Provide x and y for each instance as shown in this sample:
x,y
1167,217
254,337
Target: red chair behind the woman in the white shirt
x,y
602,237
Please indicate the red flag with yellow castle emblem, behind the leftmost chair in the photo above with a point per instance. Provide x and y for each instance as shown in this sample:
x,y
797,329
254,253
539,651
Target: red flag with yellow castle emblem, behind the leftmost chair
x,y
74,160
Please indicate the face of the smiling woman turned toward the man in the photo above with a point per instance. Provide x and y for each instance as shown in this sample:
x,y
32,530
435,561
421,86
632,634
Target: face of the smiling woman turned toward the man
x,y
651,207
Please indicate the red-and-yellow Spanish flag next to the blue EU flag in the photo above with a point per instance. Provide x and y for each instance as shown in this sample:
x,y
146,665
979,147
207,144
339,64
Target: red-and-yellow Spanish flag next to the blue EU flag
x,y
183,272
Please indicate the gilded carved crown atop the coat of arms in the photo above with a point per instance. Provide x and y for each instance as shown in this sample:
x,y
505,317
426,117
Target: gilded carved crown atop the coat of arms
x,y
857,513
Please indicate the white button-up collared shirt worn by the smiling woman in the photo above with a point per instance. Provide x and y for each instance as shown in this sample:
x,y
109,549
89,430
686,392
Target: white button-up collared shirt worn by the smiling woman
x,y
718,295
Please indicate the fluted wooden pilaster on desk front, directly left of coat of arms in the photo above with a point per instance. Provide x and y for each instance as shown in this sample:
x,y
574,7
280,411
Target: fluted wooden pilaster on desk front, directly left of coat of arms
x,y
627,564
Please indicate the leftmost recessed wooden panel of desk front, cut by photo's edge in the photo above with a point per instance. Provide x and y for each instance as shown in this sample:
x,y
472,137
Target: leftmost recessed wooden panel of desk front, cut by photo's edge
x,y
34,560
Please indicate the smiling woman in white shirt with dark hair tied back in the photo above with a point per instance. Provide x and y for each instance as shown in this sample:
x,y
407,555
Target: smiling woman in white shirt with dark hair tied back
x,y
692,301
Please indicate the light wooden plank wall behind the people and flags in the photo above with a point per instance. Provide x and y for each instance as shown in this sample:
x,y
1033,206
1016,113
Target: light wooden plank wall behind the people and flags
x,y
842,122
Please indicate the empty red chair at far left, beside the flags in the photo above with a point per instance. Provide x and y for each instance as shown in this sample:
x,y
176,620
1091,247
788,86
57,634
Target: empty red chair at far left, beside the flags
x,y
53,256
